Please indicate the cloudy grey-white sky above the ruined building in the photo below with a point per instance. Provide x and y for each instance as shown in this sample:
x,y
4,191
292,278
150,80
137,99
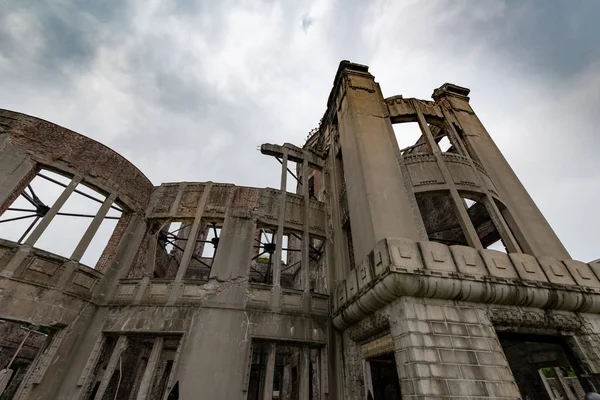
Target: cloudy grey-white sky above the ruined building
x,y
187,90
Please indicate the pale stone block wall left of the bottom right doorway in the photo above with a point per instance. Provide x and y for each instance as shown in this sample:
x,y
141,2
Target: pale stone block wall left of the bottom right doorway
x,y
448,350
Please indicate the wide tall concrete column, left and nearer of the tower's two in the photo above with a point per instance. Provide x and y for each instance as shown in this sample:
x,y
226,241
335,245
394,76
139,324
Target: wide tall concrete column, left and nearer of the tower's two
x,y
378,202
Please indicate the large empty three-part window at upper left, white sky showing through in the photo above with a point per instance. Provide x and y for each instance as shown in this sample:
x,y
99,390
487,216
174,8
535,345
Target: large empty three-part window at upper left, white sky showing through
x,y
72,220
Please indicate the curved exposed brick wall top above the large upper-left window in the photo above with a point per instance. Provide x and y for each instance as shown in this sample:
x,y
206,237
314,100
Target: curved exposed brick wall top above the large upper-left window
x,y
66,150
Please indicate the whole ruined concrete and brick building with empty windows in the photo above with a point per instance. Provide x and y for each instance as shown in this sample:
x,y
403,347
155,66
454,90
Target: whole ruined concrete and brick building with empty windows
x,y
422,272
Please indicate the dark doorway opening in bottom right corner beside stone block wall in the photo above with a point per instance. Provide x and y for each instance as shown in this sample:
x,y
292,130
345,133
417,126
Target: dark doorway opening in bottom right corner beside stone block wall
x,y
544,366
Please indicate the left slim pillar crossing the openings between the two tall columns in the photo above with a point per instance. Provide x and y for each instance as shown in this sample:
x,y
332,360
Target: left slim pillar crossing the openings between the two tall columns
x,y
457,203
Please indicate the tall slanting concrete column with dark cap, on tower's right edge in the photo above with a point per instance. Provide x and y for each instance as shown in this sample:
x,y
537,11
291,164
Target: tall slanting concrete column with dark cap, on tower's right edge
x,y
534,234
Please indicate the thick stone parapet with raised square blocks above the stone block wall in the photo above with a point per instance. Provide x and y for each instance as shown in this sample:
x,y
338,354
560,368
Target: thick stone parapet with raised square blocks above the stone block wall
x,y
400,267
